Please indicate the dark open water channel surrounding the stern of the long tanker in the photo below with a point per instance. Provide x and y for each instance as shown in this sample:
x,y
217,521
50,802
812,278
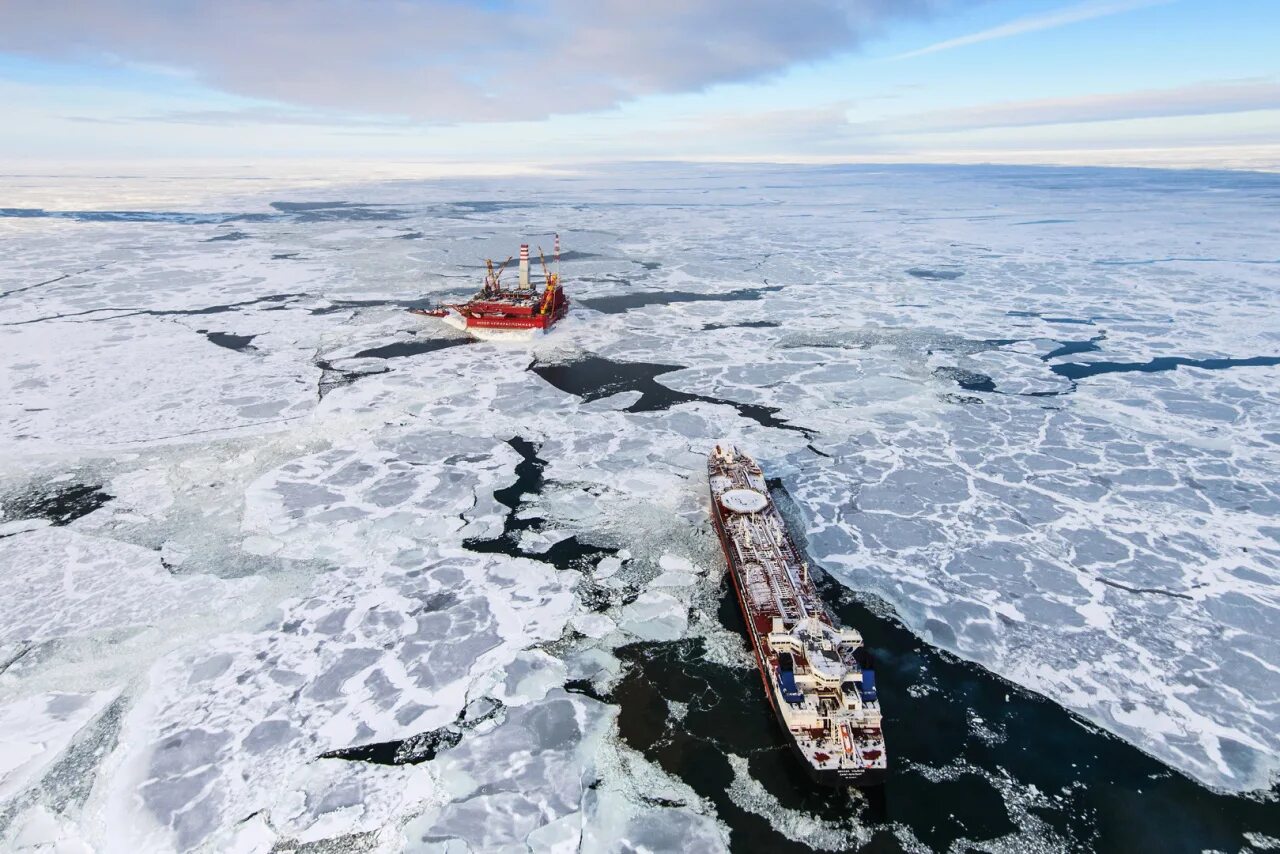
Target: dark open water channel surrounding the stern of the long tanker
x,y
975,757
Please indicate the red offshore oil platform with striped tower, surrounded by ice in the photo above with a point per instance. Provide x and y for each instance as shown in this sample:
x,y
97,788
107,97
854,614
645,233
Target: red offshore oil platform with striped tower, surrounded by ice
x,y
525,308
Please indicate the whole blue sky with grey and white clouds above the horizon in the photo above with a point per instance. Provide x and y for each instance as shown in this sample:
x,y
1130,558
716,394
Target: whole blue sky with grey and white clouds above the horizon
x,y
1135,83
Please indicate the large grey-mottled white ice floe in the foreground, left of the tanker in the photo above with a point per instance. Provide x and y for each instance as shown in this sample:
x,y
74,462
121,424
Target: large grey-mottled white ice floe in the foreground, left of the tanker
x,y
395,642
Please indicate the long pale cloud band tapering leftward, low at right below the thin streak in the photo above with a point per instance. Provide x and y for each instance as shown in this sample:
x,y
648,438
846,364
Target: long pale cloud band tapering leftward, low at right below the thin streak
x,y
1203,99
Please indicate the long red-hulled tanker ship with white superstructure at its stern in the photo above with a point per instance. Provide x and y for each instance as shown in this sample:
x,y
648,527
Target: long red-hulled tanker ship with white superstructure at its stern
x,y
817,675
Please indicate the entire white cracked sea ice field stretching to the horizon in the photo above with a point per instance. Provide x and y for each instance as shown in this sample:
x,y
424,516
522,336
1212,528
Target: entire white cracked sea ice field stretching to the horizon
x,y
1040,427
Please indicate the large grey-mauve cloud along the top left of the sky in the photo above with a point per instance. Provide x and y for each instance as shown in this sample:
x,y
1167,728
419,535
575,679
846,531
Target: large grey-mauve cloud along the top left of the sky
x,y
445,61
